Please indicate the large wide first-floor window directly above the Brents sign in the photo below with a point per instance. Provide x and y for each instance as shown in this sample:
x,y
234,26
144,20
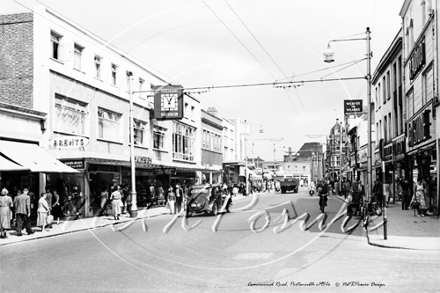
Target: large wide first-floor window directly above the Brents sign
x,y
70,115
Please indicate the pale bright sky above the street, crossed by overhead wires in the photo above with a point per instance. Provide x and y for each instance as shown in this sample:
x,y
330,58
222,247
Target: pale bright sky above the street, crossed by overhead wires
x,y
200,43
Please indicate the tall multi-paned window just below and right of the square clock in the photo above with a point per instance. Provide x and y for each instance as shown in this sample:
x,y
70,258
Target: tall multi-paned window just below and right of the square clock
x,y
183,141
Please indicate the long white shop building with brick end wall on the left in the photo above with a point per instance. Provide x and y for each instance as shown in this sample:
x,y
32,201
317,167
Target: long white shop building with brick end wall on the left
x,y
73,101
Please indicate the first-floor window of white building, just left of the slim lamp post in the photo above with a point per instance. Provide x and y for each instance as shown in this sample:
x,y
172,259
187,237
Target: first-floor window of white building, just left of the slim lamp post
x,y
109,125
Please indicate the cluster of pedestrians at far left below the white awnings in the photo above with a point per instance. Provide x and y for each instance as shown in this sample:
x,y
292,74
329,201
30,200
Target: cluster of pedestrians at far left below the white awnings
x,y
16,213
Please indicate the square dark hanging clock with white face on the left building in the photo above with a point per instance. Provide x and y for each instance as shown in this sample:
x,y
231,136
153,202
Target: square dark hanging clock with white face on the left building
x,y
168,102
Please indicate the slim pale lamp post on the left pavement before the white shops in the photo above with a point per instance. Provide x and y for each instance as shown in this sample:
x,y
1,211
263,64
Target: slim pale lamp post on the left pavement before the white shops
x,y
133,208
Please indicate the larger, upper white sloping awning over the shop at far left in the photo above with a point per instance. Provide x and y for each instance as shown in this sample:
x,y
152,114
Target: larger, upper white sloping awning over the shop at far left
x,y
32,157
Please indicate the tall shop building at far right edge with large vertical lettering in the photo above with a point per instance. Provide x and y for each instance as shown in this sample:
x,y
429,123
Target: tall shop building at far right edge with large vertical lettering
x,y
420,90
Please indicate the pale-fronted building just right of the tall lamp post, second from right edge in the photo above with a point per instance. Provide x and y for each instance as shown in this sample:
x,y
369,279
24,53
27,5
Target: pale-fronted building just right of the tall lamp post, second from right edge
x,y
388,111
